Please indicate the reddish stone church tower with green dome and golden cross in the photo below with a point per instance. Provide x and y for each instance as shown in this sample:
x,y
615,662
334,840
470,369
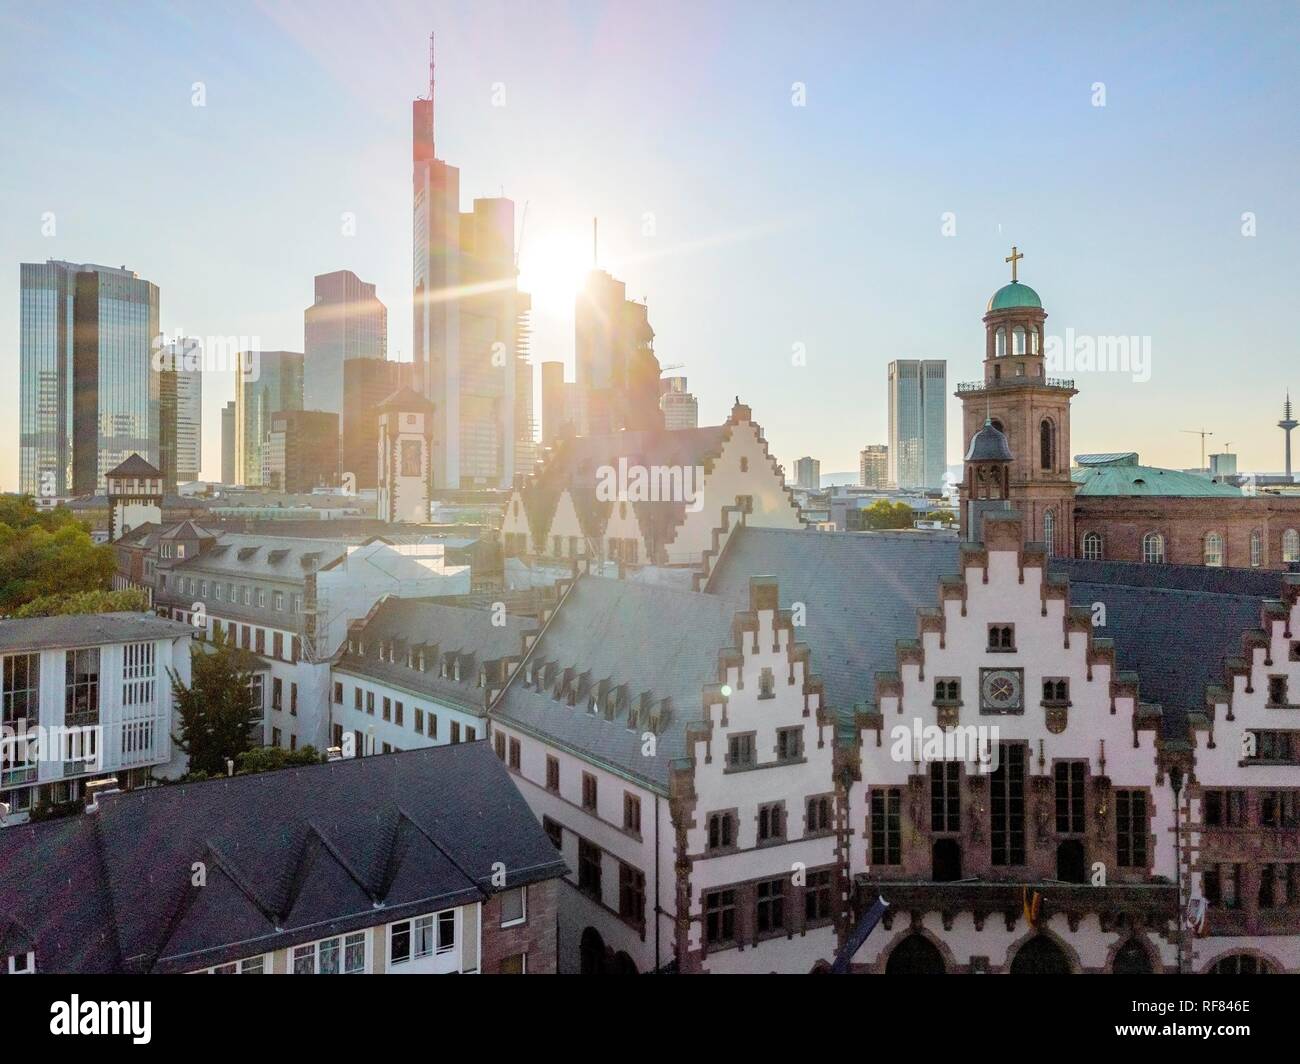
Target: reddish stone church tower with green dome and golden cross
x,y
1032,412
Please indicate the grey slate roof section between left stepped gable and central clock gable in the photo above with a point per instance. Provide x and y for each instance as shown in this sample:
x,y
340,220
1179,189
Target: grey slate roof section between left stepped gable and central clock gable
x,y
861,590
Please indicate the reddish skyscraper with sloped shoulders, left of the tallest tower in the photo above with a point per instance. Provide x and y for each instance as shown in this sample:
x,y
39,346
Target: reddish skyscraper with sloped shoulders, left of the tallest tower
x,y
346,322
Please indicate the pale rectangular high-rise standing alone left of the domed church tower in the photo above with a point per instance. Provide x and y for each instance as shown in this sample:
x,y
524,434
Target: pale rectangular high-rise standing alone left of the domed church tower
x,y
918,426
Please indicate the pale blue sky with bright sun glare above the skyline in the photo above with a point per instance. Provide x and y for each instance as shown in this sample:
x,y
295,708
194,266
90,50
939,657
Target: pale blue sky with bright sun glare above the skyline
x,y
801,193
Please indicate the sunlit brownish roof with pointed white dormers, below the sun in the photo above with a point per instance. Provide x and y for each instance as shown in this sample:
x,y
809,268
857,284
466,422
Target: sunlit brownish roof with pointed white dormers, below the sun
x,y
575,462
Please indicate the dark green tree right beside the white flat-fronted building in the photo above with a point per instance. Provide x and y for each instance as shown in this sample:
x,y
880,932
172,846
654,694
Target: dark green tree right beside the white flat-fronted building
x,y
216,711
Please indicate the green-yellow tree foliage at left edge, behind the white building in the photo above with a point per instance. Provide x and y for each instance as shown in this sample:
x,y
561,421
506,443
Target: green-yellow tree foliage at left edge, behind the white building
x,y
47,553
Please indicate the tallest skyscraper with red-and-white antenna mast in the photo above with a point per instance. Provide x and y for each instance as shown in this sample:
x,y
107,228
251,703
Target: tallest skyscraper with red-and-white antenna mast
x,y
471,325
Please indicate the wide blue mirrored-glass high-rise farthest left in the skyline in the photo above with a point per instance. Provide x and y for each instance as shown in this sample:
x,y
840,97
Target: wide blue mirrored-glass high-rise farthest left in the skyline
x,y
90,392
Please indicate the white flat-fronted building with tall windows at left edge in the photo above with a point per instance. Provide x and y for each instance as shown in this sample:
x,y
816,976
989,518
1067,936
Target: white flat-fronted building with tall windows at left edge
x,y
86,698
